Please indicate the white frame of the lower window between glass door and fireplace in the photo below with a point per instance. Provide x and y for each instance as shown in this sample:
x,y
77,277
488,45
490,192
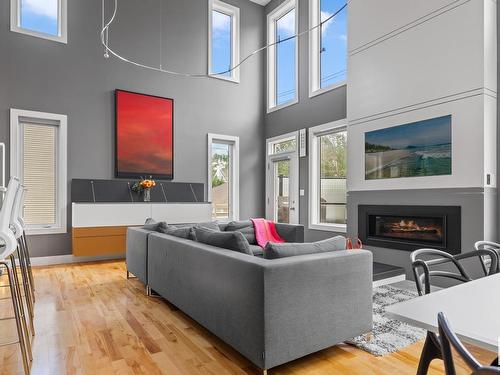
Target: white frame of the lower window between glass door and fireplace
x,y
314,185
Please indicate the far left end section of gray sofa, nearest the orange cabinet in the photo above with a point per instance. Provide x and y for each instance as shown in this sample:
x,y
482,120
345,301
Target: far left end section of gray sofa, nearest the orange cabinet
x,y
137,253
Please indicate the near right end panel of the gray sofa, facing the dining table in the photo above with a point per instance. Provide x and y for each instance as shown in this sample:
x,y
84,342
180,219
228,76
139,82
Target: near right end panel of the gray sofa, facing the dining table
x,y
315,301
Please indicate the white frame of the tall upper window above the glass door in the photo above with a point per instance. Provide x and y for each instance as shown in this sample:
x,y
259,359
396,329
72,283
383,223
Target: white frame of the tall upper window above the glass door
x,y
272,17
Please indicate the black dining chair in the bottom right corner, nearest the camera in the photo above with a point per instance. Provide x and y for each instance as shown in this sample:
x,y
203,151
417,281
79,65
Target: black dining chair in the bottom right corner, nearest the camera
x,y
449,340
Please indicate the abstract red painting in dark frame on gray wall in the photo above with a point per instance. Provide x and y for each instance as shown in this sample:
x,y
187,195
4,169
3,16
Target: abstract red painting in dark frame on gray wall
x,y
144,135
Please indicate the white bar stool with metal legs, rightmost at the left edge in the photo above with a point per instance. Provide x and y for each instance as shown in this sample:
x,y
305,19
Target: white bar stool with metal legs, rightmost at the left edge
x,y
17,227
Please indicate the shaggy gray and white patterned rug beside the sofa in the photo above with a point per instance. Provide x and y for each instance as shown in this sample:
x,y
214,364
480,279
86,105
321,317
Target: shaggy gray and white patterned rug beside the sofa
x,y
389,335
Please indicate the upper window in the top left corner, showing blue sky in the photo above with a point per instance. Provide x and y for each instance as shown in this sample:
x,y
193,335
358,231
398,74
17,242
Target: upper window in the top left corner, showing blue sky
x,y
44,19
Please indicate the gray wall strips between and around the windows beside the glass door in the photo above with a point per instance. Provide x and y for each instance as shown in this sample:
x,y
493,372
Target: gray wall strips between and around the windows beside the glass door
x,y
308,112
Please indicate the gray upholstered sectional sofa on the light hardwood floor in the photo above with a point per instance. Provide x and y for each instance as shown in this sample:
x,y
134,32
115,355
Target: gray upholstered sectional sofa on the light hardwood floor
x,y
271,311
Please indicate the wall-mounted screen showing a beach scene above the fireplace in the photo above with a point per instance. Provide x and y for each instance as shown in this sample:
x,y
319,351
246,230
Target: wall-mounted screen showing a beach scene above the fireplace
x,y
417,149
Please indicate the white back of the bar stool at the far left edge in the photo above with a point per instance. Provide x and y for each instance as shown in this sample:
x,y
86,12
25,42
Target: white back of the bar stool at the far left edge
x,y
6,233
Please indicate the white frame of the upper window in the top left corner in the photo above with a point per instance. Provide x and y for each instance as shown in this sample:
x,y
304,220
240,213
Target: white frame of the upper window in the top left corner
x,y
15,22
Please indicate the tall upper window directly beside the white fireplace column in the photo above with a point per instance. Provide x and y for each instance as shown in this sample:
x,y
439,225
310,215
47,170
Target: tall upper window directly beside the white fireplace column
x,y
328,45
